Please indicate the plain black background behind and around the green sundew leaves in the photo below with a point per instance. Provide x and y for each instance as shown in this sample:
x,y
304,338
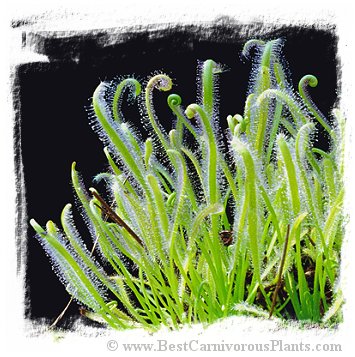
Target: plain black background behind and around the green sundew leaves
x,y
52,128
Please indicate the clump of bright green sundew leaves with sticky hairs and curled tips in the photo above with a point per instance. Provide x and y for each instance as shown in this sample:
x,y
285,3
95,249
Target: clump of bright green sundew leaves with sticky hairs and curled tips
x,y
194,228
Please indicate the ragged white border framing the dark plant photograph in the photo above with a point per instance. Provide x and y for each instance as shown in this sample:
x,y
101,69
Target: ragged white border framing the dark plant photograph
x,y
102,14
